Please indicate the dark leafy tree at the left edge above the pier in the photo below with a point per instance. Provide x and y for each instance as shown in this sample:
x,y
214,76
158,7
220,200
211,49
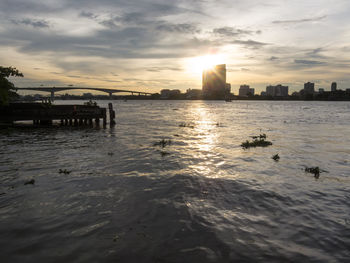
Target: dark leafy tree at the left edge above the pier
x,y
7,88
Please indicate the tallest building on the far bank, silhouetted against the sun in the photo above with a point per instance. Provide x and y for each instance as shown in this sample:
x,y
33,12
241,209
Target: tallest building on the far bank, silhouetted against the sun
x,y
214,82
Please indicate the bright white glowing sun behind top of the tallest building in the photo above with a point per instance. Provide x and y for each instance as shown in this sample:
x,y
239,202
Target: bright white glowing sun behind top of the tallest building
x,y
198,64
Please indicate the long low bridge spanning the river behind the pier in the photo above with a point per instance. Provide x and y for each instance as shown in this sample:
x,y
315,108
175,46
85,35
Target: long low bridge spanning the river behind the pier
x,y
52,90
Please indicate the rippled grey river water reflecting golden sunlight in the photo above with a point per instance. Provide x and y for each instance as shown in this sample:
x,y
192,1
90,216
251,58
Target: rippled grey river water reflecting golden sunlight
x,y
201,199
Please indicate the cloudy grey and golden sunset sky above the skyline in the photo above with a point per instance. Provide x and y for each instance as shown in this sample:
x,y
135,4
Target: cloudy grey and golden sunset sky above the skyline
x,y
149,45
